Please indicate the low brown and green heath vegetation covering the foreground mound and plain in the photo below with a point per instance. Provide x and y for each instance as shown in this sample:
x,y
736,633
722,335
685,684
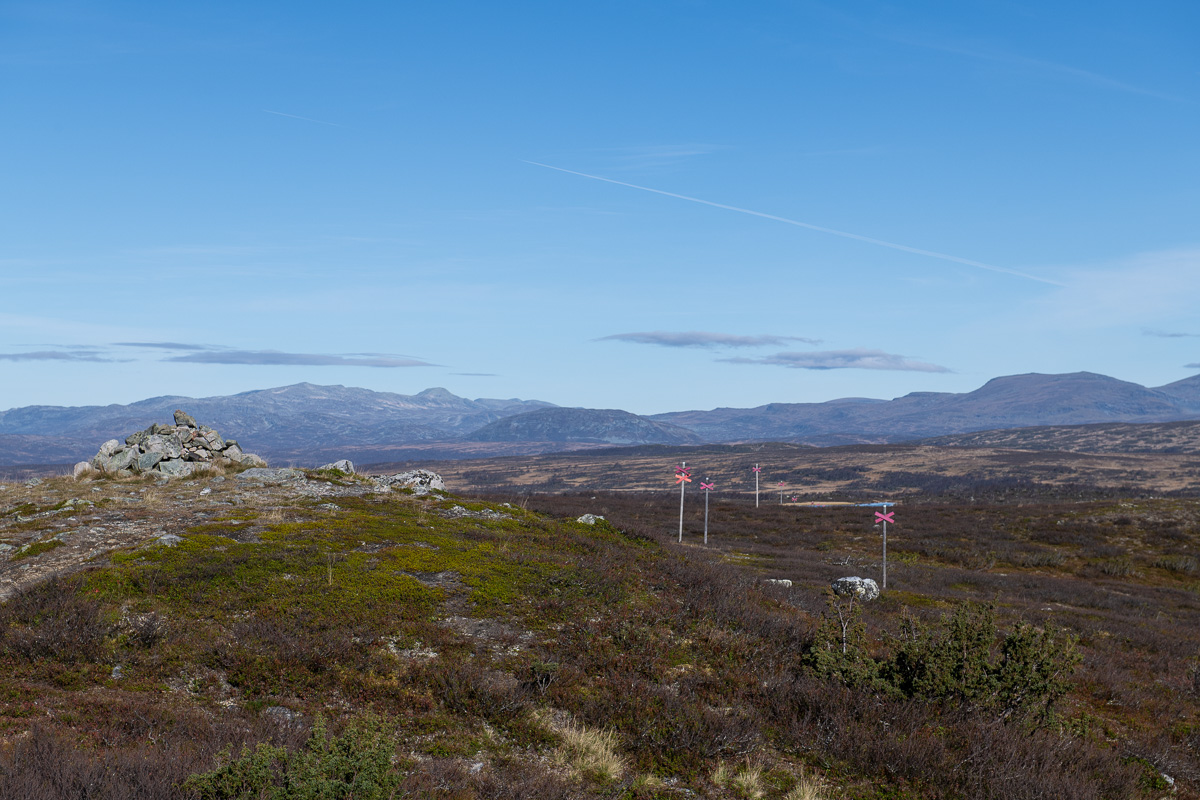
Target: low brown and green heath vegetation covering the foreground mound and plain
x,y
393,646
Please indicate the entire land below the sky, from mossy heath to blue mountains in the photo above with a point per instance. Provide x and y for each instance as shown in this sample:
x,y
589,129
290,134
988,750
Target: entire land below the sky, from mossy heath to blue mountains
x,y
507,599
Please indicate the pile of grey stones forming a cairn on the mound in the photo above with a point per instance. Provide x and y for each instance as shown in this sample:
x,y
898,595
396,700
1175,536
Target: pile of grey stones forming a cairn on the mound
x,y
169,450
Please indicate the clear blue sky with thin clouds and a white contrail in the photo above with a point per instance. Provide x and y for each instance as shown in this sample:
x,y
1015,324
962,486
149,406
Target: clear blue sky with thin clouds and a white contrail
x,y
646,206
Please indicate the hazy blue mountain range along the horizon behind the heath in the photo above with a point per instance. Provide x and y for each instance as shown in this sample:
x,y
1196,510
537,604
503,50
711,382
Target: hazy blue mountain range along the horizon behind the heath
x,y
309,425
